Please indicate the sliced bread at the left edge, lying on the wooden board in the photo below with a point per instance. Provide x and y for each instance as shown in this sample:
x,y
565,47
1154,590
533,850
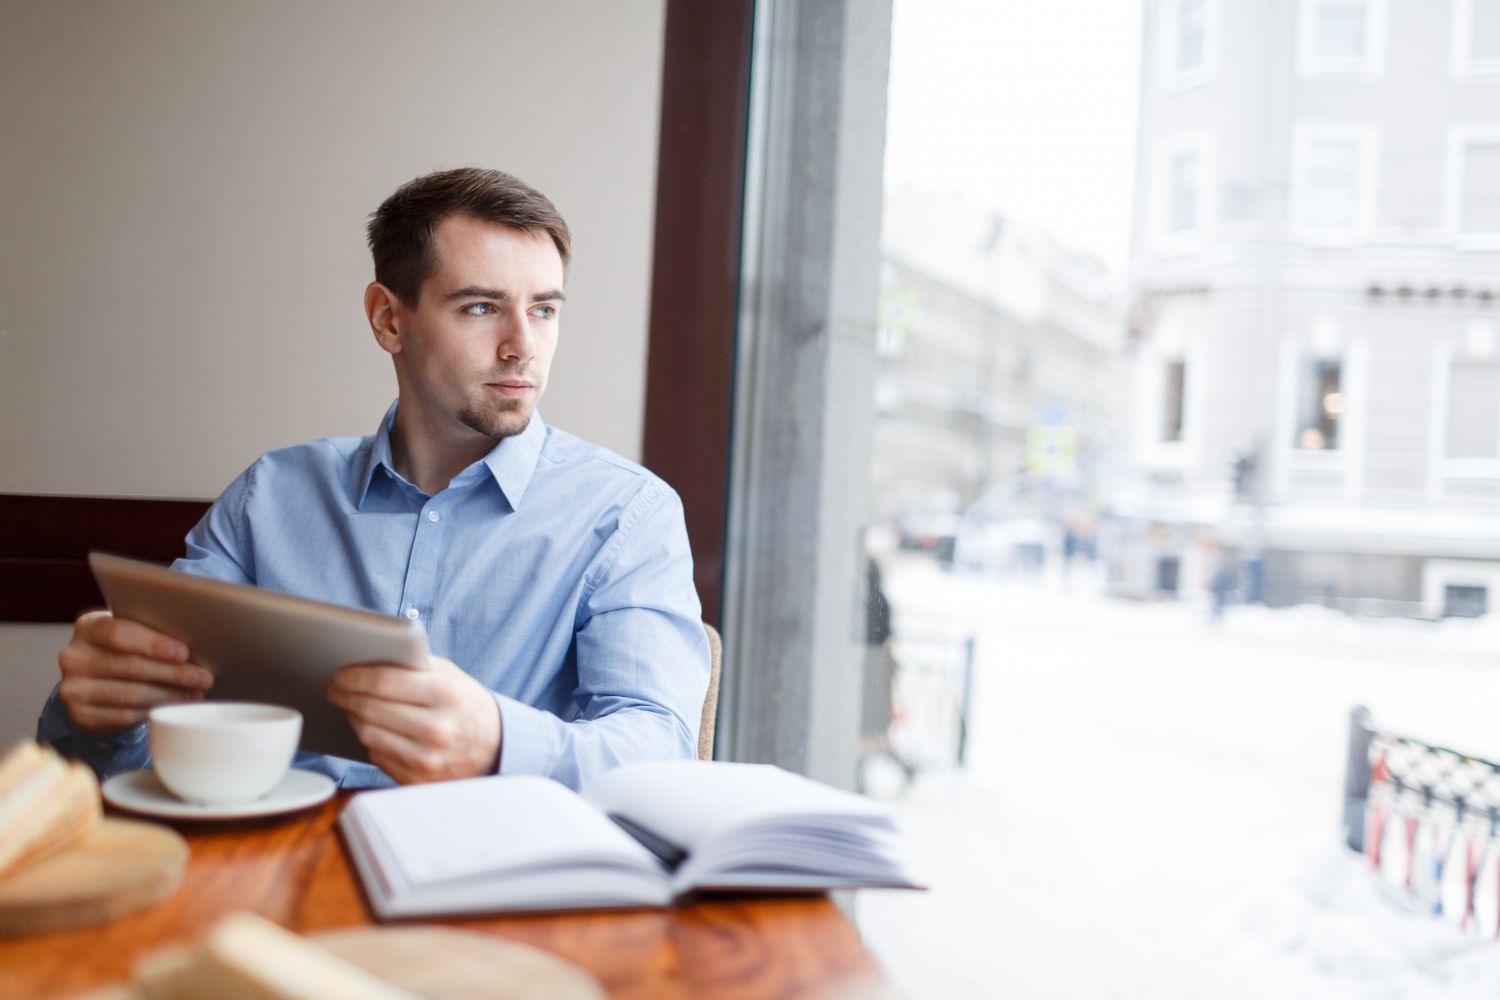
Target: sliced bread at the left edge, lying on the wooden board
x,y
46,804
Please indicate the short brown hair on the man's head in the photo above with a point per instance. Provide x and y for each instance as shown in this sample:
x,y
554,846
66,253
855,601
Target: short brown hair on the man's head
x,y
401,230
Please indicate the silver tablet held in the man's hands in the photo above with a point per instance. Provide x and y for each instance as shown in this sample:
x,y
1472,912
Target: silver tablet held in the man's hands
x,y
262,645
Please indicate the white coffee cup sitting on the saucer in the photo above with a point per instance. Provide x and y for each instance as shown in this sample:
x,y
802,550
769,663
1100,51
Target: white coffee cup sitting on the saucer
x,y
223,753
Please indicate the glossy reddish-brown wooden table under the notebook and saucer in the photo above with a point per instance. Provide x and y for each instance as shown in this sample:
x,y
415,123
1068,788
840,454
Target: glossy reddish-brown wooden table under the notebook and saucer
x,y
295,870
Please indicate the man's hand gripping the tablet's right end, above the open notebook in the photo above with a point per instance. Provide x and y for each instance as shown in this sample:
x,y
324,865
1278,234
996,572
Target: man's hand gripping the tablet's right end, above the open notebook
x,y
421,725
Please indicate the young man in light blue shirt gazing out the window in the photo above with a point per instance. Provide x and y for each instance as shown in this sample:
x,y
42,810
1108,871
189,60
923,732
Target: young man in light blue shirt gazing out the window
x,y
553,578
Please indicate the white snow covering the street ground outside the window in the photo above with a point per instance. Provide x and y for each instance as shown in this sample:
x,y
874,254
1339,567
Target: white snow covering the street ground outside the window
x,y
1153,803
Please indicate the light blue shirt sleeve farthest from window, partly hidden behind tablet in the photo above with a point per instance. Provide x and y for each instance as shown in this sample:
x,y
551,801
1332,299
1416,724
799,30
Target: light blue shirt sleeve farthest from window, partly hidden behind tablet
x,y
214,551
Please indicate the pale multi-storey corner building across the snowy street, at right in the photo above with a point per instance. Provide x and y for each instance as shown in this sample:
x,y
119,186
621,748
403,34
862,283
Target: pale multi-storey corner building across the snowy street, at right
x,y
1316,334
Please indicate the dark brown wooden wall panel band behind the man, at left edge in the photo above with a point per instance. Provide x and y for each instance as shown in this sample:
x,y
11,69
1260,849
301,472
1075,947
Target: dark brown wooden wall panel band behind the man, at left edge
x,y
46,543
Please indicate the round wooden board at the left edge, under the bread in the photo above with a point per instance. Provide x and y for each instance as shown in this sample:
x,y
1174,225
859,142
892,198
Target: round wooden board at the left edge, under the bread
x,y
121,867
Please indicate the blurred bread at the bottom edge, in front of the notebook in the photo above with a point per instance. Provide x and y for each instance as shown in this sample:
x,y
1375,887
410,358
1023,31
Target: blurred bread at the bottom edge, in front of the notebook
x,y
250,959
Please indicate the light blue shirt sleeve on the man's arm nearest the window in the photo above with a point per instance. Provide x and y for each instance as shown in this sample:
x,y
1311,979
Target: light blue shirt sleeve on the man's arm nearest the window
x,y
643,659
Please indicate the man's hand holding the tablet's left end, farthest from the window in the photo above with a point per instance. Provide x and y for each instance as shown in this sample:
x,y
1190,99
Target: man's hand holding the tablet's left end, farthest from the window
x,y
116,672
